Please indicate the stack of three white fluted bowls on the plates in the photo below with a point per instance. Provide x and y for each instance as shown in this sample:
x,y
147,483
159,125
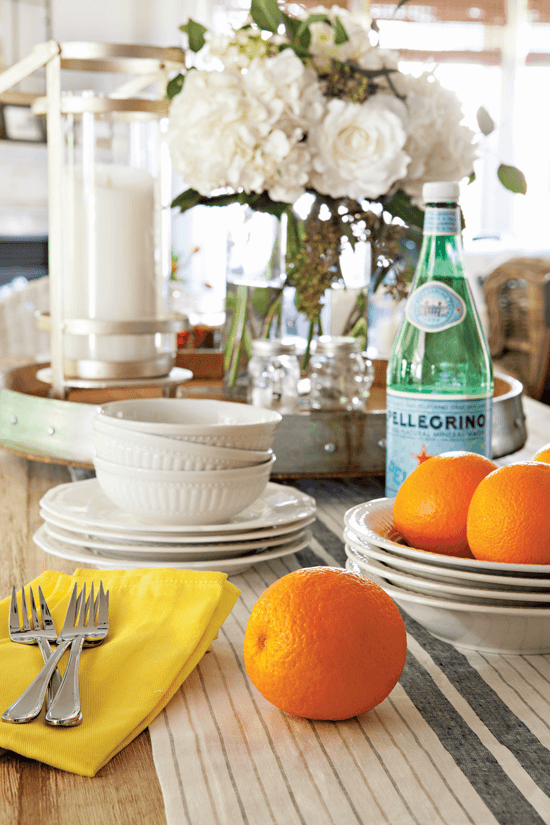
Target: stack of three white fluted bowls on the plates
x,y
171,461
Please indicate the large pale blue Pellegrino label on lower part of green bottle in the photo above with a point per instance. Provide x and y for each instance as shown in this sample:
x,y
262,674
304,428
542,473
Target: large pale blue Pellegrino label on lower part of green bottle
x,y
419,427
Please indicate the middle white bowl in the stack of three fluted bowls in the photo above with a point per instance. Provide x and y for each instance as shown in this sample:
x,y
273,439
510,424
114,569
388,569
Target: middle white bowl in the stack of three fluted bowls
x,y
157,452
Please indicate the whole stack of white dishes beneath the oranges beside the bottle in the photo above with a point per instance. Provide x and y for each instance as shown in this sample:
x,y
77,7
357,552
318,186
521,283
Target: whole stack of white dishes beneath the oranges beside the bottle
x,y
474,604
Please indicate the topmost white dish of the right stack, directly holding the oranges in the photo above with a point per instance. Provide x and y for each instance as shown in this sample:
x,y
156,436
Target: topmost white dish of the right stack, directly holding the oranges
x,y
373,521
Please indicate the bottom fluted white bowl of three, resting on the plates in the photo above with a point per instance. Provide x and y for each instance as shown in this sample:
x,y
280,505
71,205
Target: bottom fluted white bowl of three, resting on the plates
x,y
182,497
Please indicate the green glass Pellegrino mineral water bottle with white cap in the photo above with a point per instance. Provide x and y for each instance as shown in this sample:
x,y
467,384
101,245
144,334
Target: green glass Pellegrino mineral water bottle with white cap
x,y
440,379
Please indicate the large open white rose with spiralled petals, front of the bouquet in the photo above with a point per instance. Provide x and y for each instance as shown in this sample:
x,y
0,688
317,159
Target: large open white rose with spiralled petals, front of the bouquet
x,y
357,150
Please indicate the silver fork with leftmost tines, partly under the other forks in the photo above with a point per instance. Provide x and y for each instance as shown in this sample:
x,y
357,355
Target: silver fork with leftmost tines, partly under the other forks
x,y
40,632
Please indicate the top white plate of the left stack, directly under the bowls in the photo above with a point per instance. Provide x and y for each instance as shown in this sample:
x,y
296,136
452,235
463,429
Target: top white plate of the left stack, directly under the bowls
x,y
85,504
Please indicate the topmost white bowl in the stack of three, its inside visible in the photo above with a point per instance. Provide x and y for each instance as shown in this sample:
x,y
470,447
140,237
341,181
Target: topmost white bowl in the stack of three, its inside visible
x,y
208,421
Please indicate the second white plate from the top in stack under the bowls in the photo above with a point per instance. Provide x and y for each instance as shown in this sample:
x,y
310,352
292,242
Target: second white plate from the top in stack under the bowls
x,y
96,533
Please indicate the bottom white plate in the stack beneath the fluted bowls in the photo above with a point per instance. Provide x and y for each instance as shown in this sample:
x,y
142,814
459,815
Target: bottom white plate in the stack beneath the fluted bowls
x,y
230,566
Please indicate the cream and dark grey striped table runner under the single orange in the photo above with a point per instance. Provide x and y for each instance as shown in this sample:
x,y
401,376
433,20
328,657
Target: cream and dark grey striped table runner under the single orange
x,y
463,738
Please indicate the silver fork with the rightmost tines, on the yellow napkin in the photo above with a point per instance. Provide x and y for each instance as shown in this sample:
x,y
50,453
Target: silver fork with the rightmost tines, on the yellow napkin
x,y
91,630
